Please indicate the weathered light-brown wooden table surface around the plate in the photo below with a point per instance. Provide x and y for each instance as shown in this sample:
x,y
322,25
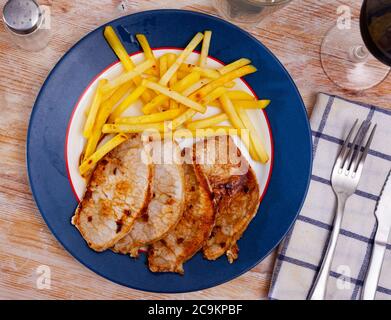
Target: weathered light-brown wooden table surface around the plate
x,y
294,35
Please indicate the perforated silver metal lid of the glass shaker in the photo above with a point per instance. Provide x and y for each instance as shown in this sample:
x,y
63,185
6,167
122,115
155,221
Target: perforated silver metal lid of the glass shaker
x,y
22,16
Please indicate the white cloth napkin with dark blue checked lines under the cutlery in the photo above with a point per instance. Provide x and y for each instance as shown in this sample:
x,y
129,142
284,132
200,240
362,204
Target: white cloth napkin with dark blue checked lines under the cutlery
x,y
300,254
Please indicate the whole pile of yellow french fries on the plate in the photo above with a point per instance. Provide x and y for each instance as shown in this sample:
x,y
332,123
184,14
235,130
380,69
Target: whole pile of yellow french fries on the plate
x,y
172,92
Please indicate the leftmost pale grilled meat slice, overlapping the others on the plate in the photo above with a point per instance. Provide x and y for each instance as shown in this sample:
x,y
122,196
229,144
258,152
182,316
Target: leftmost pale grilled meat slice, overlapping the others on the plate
x,y
117,192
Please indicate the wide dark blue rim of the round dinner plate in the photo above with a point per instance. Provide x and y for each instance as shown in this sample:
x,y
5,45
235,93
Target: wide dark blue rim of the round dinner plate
x,y
75,71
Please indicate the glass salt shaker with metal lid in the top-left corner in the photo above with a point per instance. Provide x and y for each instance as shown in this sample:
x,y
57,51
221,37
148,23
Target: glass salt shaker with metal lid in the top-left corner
x,y
27,24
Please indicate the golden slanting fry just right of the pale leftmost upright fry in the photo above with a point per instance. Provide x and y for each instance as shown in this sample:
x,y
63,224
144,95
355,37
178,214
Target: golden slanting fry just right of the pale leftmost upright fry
x,y
101,118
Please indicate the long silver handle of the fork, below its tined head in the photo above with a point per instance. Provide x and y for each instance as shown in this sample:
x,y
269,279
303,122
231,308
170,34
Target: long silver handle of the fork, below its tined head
x,y
319,289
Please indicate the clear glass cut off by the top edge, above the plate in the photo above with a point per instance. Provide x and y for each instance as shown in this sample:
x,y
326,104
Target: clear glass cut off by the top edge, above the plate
x,y
248,12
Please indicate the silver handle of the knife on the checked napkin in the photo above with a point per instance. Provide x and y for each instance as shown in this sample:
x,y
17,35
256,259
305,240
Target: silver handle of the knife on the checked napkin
x,y
373,272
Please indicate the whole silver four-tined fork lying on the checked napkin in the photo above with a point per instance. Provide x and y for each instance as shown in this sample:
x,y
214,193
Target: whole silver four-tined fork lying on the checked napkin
x,y
345,177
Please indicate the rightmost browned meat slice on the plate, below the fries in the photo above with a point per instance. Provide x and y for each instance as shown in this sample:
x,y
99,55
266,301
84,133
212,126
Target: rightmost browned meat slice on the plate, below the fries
x,y
235,191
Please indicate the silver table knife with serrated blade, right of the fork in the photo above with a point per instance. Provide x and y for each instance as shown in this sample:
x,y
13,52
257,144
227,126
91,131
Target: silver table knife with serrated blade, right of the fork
x,y
383,216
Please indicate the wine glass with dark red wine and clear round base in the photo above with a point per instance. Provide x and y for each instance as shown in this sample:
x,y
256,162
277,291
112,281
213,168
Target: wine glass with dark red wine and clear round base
x,y
359,57
